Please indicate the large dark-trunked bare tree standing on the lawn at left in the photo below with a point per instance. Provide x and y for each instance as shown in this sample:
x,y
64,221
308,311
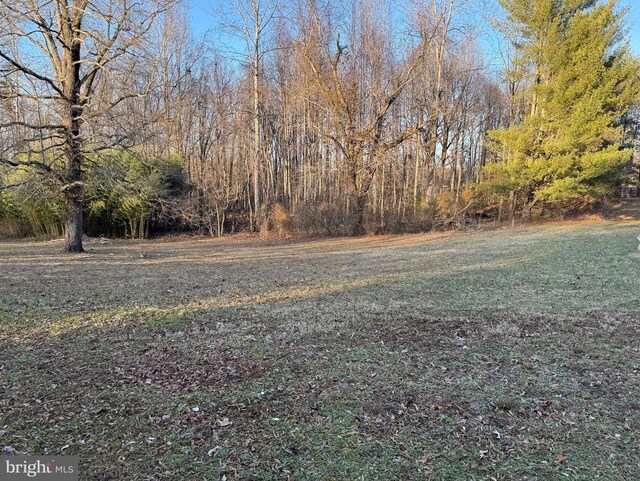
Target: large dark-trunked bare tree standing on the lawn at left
x,y
58,49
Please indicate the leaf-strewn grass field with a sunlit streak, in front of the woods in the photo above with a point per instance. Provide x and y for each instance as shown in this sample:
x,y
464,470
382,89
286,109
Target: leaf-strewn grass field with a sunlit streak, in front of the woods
x,y
502,355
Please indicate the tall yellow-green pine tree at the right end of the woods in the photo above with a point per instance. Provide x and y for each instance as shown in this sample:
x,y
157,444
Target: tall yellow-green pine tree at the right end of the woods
x,y
582,81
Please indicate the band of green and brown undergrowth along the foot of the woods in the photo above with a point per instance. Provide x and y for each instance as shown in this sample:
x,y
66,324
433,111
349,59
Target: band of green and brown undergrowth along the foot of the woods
x,y
132,197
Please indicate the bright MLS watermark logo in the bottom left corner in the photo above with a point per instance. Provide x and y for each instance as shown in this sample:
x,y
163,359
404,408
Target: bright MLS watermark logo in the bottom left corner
x,y
49,468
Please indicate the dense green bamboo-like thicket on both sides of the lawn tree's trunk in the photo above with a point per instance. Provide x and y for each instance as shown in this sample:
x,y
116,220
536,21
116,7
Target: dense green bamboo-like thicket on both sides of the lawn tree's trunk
x,y
125,196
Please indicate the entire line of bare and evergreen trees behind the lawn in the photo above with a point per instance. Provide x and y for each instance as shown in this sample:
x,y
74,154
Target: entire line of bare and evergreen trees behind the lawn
x,y
330,117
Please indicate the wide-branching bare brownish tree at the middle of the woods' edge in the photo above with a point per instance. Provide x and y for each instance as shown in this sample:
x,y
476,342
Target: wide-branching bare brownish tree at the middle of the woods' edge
x,y
359,83
